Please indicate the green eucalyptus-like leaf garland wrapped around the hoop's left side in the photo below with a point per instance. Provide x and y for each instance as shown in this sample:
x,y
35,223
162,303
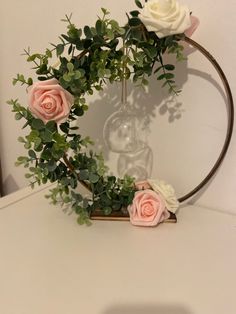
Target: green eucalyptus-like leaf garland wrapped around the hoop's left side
x,y
88,59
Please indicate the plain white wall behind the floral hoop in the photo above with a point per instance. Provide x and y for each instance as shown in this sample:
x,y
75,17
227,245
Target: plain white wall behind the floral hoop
x,y
183,149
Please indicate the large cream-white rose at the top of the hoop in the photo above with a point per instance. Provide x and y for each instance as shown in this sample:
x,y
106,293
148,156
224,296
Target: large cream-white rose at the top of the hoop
x,y
165,17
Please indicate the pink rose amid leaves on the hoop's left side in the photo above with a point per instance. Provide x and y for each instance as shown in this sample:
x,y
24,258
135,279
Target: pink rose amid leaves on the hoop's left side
x,y
49,101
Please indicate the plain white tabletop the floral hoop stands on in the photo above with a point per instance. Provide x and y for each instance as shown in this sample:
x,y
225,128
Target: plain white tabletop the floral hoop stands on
x,y
51,265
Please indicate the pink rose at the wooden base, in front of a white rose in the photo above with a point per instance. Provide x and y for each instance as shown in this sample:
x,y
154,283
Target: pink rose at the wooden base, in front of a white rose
x,y
148,209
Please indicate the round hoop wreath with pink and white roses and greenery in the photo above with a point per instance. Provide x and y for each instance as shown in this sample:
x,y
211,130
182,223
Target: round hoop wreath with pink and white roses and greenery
x,y
88,59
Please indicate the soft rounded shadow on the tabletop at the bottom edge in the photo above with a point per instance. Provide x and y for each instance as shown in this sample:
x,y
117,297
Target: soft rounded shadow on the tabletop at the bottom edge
x,y
148,309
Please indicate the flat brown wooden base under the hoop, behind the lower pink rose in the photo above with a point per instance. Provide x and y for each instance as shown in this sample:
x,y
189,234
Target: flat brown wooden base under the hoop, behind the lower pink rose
x,y
121,216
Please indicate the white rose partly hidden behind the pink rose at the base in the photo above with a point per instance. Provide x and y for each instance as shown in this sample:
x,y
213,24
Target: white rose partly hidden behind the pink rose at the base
x,y
167,192
